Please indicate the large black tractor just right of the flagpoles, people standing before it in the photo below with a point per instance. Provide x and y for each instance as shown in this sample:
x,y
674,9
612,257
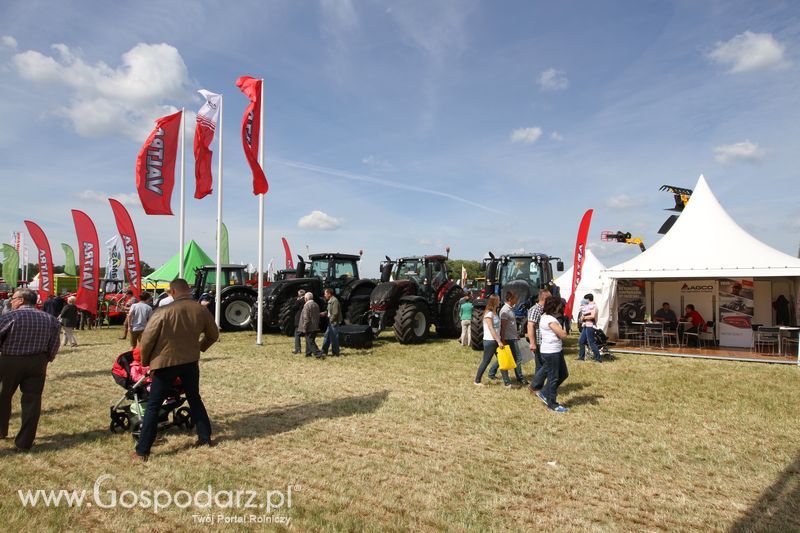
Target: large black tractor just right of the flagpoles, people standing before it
x,y
328,270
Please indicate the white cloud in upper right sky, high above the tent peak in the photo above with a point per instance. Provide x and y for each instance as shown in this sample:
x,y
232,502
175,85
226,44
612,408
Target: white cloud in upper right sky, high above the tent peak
x,y
750,51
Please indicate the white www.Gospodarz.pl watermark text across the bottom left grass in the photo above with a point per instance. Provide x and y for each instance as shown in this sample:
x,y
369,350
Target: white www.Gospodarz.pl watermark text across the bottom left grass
x,y
105,496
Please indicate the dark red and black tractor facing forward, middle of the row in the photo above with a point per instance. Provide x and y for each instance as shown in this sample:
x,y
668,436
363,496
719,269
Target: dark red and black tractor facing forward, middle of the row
x,y
420,294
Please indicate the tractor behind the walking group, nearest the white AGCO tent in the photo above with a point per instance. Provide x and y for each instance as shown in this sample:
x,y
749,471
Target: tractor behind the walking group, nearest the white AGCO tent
x,y
524,275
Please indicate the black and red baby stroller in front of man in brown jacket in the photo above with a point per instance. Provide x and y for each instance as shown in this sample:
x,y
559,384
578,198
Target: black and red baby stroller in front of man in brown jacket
x,y
127,414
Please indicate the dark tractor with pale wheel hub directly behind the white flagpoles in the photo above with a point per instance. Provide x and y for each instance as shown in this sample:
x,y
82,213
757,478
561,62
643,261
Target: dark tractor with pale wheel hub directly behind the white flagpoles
x,y
237,299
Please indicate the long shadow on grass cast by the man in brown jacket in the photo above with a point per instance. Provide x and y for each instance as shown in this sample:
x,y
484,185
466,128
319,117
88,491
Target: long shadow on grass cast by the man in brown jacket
x,y
288,418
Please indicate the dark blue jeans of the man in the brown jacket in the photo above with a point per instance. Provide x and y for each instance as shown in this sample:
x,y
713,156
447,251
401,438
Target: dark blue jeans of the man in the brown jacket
x,y
163,378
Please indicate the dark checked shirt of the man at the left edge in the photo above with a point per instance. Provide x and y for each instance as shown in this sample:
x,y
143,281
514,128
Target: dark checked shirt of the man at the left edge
x,y
28,331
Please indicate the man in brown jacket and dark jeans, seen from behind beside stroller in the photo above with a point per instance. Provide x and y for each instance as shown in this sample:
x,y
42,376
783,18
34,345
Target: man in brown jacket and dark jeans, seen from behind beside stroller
x,y
171,346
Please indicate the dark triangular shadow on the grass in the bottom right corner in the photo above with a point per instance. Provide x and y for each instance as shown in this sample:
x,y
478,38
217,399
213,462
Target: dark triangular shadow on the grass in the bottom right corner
x,y
777,507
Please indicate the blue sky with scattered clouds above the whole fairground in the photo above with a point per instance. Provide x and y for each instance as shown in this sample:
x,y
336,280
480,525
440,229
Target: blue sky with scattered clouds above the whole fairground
x,y
410,125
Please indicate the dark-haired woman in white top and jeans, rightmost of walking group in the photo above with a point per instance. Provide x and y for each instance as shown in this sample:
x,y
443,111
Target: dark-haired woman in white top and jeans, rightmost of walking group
x,y
554,367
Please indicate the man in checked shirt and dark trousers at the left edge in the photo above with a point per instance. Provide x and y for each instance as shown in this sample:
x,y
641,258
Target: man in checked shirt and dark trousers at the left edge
x,y
29,339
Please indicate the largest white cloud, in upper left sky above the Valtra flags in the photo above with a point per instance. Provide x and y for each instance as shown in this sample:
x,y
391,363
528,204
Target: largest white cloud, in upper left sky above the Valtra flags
x,y
112,101
